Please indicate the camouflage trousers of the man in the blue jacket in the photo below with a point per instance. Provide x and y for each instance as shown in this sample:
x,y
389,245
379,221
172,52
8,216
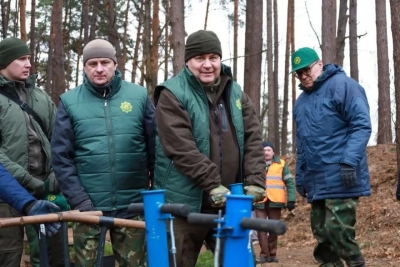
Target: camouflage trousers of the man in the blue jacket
x,y
332,224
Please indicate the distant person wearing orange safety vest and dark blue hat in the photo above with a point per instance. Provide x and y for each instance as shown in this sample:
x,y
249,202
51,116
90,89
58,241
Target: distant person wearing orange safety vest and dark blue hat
x,y
280,193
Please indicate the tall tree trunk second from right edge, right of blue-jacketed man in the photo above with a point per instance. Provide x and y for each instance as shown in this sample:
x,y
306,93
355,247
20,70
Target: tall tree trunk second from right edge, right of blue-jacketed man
x,y
384,106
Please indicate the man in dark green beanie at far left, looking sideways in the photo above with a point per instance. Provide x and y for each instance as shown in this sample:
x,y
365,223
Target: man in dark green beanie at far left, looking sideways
x,y
25,148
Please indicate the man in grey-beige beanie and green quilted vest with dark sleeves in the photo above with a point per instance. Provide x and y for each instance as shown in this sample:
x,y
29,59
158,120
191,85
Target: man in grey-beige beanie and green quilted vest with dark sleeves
x,y
103,153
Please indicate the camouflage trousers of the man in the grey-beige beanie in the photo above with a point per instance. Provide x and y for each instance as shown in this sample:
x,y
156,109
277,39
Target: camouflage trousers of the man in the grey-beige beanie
x,y
128,245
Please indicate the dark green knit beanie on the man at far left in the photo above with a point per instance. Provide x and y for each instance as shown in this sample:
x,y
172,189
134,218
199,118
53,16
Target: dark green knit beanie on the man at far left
x,y
11,49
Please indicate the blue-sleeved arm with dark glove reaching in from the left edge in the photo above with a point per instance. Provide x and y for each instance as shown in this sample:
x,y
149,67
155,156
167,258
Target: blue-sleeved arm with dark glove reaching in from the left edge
x,y
17,197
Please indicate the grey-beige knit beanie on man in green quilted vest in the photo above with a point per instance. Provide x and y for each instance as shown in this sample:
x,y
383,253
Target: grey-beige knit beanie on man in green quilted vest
x,y
99,48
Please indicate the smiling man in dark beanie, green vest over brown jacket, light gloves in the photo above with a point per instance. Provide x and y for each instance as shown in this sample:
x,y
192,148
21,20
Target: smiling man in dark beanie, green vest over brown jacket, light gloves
x,y
209,138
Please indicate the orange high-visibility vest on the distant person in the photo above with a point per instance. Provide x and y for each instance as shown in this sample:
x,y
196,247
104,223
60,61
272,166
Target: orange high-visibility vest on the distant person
x,y
275,189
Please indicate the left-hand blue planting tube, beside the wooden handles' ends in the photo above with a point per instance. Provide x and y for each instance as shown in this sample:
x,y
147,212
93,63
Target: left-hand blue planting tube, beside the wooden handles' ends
x,y
156,234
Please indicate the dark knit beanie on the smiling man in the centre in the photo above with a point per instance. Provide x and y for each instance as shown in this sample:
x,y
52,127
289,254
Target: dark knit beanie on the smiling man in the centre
x,y
202,42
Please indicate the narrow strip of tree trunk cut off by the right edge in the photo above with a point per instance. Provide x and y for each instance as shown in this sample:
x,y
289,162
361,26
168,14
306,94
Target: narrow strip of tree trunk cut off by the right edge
x,y
395,11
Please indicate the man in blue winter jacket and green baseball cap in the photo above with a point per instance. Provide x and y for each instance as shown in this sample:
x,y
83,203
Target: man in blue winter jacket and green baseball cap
x,y
333,129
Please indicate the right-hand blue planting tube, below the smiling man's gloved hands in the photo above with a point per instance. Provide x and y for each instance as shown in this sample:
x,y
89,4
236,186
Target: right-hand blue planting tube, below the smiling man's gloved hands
x,y
237,238
